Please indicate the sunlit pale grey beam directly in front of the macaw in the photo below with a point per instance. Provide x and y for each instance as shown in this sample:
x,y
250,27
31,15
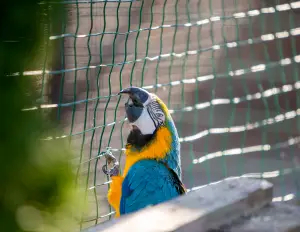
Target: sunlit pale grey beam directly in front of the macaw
x,y
208,207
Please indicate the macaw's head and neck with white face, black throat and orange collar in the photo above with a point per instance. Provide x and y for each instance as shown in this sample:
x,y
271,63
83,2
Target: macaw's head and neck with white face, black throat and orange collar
x,y
153,133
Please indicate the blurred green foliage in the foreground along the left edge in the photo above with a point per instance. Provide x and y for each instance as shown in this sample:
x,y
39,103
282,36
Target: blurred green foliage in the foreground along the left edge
x,y
37,191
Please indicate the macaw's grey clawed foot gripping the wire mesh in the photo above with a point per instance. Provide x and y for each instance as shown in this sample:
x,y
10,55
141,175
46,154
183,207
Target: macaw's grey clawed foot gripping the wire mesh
x,y
111,168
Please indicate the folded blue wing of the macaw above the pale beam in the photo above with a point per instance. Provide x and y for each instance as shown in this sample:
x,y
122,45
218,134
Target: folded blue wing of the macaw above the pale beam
x,y
148,182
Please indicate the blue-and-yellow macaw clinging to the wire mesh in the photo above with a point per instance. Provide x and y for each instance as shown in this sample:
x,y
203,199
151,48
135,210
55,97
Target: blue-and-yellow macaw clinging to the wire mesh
x,y
152,172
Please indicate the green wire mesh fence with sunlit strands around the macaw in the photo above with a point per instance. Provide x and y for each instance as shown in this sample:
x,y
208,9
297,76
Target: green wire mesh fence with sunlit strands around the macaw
x,y
228,71
